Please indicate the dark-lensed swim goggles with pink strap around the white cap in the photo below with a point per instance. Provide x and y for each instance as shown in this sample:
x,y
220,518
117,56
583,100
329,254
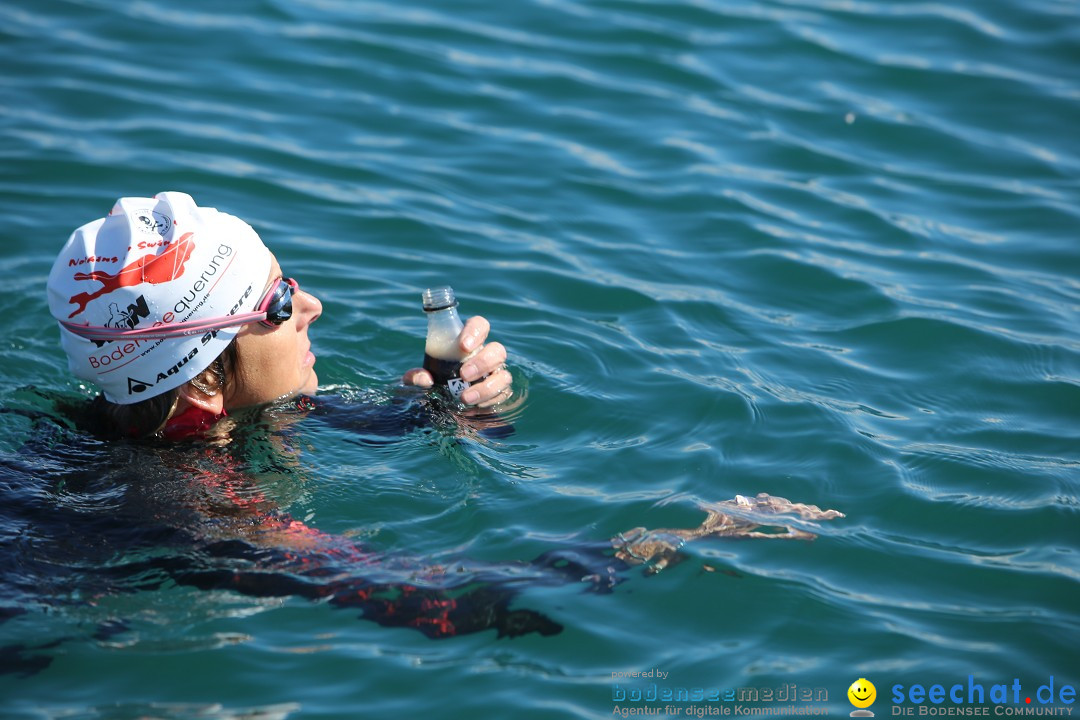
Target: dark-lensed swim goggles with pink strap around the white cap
x,y
275,308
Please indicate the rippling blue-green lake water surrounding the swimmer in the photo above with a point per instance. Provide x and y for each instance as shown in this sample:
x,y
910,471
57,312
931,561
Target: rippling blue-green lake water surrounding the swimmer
x,y
826,251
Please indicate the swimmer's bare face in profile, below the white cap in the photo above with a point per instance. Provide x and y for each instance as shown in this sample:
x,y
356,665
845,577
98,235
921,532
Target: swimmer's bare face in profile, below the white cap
x,y
278,362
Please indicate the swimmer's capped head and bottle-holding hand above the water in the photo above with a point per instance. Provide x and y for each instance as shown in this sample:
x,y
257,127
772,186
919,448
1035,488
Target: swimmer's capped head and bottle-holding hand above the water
x,y
181,315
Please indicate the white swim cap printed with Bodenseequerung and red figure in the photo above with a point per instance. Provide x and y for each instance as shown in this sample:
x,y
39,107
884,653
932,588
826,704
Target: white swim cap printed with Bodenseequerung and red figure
x,y
151,264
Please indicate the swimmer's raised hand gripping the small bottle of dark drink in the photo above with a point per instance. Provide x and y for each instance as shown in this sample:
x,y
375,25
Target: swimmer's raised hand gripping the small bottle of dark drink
x,y
485,369
